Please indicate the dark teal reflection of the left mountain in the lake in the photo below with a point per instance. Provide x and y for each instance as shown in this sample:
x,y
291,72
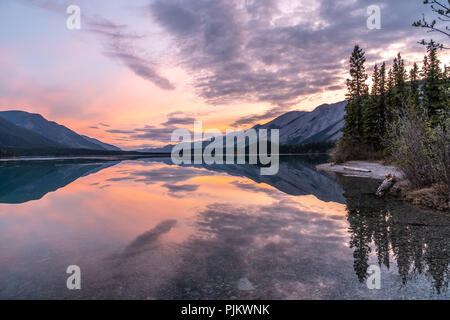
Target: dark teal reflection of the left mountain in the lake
x,y
33,180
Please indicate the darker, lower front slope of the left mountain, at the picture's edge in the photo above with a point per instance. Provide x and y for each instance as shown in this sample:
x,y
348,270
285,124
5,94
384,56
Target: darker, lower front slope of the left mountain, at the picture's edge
x,y
15,136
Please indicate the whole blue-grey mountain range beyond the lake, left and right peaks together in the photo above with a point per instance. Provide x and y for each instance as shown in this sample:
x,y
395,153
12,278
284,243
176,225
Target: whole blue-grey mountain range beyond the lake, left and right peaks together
x,y
23,130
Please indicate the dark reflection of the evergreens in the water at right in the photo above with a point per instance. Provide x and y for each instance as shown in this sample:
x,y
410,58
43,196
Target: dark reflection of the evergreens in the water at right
x,y
418,240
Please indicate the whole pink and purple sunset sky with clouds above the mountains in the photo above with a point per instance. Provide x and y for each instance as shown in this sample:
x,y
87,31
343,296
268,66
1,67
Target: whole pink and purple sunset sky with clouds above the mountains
x,y
138,69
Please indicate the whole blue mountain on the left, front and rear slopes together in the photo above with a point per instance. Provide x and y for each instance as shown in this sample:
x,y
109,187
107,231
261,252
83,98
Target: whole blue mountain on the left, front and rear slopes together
x,y
31,130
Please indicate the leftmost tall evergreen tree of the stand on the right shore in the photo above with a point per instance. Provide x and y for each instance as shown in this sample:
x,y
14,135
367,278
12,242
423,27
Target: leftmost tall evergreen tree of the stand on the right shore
x,y
357,93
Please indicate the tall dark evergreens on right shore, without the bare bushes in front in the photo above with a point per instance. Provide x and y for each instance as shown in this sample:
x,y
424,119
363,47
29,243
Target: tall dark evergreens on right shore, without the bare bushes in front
x,y
371,115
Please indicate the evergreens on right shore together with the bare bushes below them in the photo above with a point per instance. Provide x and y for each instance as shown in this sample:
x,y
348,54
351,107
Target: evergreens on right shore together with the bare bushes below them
x,y
405,117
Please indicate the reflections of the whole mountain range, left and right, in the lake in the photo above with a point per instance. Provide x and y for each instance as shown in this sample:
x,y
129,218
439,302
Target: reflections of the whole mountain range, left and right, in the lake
x,y
32,180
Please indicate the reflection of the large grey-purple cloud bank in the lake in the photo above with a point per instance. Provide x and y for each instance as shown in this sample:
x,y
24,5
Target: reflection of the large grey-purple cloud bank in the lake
x,y
268,245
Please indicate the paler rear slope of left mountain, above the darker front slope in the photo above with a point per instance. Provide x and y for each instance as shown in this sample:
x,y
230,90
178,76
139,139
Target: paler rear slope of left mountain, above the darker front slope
x,y
62,135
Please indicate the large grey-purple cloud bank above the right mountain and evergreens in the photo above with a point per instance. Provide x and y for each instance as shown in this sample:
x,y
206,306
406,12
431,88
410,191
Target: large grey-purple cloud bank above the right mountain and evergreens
x,y
265,52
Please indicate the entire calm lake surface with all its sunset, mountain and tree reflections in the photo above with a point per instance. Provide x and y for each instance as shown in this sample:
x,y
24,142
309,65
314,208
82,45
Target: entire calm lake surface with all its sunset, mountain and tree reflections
x,y
149,229
